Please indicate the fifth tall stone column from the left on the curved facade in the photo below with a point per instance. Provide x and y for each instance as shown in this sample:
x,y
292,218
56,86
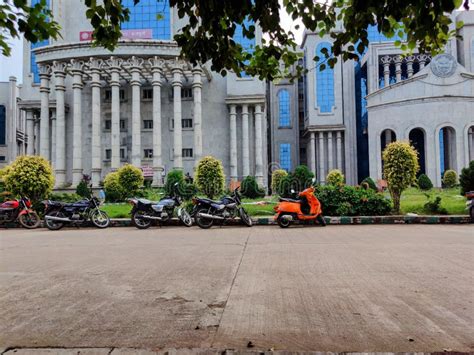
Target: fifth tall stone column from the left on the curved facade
x,y
115,68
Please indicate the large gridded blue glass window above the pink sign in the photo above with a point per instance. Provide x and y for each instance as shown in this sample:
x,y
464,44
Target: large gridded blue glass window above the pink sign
x,y
144,16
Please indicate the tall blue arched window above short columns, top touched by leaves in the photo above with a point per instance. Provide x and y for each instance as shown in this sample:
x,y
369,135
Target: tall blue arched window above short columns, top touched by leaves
x,y
324,81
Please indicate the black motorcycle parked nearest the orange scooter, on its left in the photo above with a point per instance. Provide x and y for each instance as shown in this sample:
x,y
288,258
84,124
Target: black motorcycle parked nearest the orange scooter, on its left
x,y
206,211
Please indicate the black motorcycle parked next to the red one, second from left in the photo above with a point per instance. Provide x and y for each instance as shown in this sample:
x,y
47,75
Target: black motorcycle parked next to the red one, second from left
x,y
57,214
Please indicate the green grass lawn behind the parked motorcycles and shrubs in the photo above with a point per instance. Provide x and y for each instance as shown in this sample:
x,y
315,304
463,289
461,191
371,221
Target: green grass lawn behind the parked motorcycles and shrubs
x,y
412,201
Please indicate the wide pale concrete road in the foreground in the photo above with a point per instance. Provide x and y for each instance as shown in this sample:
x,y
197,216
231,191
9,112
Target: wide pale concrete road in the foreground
x,y
340,288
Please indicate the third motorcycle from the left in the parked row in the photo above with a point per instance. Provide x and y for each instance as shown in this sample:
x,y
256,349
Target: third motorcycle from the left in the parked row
x,y
144,212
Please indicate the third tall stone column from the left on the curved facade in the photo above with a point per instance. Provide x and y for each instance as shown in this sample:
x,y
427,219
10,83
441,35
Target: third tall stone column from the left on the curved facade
x,y
77,143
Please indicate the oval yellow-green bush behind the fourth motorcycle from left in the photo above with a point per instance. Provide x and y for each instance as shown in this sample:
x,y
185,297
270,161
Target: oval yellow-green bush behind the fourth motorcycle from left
x,y
209,177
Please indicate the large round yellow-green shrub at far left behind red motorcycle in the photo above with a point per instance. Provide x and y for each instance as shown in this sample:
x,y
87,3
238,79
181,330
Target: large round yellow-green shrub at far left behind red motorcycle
x,y
30,176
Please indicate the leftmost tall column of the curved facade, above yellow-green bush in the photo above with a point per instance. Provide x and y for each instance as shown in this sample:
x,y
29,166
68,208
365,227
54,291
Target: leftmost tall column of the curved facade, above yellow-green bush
x,y
44,116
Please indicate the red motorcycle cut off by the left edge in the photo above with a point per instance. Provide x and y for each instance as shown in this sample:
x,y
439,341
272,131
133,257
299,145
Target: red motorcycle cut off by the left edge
x,y
19,210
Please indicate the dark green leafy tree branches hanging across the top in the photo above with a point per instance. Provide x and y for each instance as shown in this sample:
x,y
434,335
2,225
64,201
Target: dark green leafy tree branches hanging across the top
x,y
212,24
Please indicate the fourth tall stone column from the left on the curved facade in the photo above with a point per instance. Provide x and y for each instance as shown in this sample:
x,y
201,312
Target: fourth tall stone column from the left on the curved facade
x,y
96,149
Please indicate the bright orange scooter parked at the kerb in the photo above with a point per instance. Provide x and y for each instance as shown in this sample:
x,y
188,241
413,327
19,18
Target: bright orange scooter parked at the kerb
x,y
306,208
